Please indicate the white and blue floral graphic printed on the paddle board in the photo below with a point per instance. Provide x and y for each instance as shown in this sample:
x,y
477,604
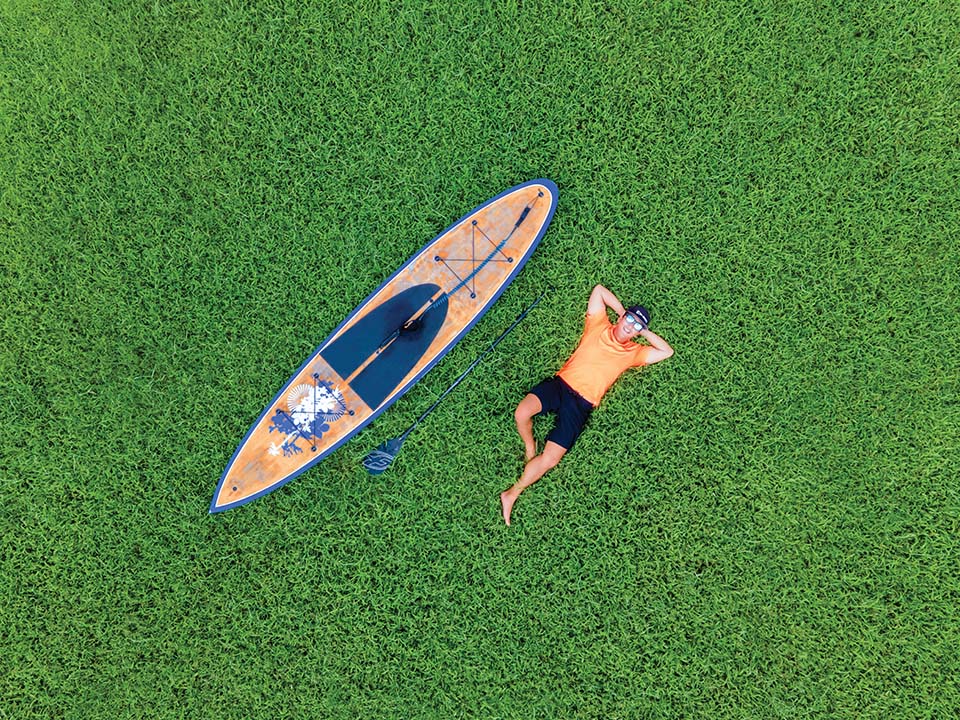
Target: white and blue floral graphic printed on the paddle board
x,y
311,409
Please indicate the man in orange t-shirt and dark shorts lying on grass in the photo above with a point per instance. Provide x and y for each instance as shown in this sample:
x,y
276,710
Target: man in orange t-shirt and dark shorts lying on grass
x,y
605,351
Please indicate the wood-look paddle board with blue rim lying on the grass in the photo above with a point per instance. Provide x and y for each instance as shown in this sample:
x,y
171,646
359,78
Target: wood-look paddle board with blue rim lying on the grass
x,y
389,341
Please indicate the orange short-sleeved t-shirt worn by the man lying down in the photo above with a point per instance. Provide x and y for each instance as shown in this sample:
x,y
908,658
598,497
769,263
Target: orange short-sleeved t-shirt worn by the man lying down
x,y
599,359
